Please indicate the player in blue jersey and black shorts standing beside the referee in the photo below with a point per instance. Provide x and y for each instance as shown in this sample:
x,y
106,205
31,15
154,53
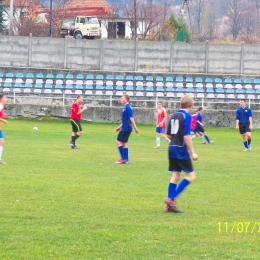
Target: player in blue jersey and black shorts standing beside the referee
x,y
125,130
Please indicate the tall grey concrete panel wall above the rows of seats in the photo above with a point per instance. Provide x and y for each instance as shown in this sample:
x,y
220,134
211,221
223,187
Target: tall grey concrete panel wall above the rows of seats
x,y
142,56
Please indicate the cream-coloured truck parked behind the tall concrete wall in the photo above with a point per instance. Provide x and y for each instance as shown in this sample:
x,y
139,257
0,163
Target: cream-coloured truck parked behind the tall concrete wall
x,y
81,27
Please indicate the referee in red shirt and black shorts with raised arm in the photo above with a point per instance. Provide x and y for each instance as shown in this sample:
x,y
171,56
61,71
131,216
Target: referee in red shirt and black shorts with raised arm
x,y
75,117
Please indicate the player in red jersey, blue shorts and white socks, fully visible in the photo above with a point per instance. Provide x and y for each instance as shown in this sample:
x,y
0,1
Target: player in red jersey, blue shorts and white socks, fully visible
x,y
161,124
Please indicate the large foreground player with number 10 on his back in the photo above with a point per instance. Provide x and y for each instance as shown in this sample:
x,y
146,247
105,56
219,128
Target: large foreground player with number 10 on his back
x,y
178,132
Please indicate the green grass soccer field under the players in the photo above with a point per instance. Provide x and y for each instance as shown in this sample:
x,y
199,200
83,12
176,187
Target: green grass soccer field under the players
x,y
59,203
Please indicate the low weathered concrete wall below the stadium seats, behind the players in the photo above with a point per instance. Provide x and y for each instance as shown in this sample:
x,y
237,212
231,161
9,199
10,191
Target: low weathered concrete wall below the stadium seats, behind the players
x,y
218,118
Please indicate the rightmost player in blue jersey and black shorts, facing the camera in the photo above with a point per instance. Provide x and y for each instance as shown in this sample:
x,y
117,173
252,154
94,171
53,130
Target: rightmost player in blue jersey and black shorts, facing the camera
x,y
244,123
